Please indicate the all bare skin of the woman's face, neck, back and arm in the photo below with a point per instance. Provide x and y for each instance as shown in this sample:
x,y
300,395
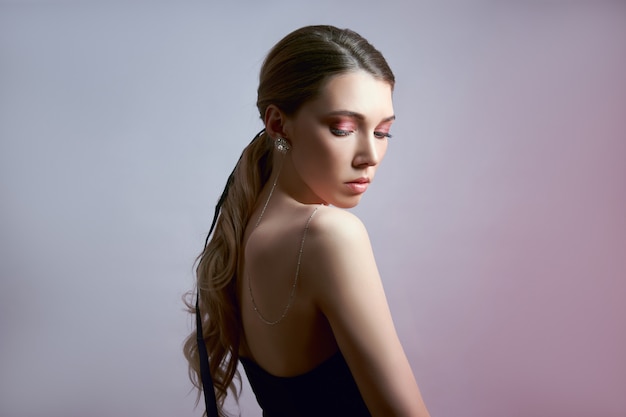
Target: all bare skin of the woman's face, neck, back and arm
x,y
337,139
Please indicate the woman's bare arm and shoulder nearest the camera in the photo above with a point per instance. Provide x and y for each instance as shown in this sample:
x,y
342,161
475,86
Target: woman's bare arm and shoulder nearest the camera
x,y
350,294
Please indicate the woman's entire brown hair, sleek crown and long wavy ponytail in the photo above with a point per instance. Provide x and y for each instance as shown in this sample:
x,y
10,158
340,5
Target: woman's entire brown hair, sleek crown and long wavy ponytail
x,y
292,74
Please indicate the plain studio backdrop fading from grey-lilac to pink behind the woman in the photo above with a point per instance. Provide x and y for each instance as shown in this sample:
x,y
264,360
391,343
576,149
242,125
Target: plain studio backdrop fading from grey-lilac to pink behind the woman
x,y
497,218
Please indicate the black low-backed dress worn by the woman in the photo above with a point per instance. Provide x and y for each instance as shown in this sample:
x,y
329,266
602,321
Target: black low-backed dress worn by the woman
x,y
328,390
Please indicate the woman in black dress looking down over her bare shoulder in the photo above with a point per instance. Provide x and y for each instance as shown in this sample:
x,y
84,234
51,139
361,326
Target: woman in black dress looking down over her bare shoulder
x,y
288,284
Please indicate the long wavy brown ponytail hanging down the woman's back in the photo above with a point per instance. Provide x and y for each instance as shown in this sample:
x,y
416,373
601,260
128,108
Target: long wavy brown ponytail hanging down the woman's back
x,y
217,309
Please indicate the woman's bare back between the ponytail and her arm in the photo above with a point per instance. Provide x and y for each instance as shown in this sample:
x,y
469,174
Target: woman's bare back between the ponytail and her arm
x,y
284,330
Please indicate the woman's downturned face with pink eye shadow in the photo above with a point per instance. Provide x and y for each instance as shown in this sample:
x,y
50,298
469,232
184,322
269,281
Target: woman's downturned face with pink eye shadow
x,y
339,139
